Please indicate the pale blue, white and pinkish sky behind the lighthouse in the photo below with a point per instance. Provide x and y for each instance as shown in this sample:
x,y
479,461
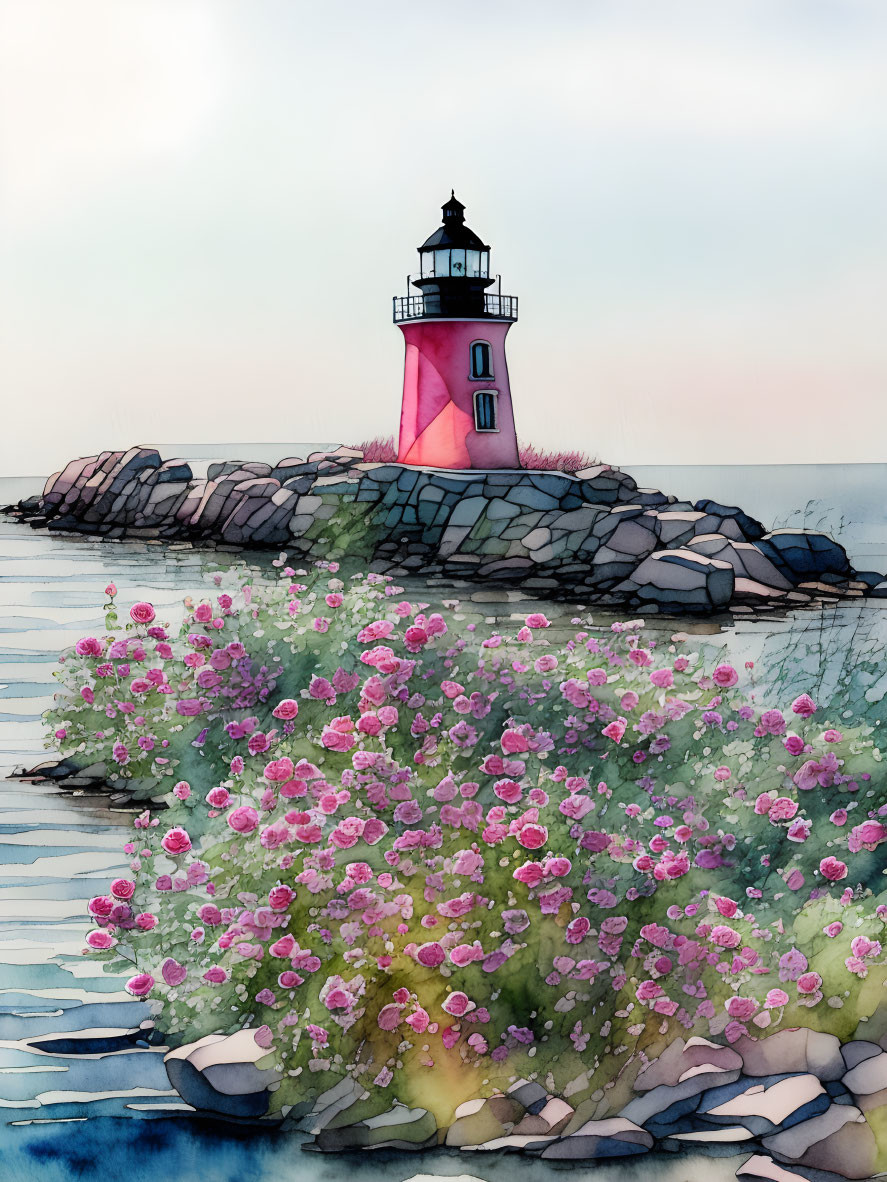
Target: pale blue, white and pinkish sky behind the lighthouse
x,y
208,207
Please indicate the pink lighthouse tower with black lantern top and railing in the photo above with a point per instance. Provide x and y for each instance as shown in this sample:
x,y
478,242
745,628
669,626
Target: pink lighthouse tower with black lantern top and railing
x,y
457,404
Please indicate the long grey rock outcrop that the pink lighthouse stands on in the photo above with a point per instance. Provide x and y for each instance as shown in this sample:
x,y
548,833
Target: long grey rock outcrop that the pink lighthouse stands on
x,y
592,535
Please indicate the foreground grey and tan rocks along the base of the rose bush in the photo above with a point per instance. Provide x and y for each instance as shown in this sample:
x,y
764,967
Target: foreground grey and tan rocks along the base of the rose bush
x,y
804,1105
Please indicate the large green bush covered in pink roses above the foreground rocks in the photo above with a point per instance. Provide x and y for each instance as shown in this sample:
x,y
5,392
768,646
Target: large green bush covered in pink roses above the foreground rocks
x,y
396,841
